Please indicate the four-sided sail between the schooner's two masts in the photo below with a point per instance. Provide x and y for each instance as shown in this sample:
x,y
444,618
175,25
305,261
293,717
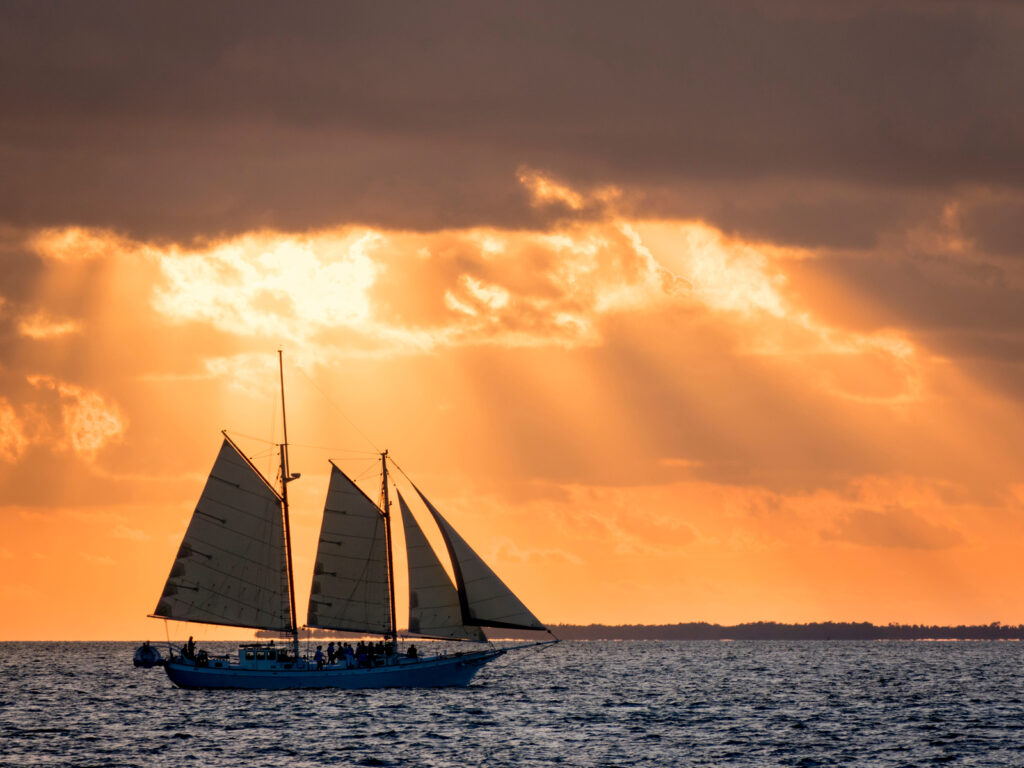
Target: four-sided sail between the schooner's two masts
x,y
351,577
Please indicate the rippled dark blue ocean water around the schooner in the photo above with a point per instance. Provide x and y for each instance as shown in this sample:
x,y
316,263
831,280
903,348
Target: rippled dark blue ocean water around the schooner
x,y
577,704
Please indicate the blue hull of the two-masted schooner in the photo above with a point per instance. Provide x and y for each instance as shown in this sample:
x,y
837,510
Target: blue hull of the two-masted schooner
x,y
436,672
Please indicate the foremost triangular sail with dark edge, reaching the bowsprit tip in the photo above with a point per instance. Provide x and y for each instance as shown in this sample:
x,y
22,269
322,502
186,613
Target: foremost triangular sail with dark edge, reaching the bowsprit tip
x,y
485,600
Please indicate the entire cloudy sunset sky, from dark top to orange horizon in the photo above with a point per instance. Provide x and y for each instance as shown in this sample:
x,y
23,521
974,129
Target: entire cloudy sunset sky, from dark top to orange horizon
x,y
677,312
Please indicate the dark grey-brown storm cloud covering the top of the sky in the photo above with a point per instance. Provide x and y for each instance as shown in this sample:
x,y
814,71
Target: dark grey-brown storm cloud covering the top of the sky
x,y
180,119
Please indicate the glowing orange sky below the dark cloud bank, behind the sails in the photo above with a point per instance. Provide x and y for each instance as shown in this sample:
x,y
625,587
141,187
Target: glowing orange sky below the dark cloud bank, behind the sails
x,y
633,420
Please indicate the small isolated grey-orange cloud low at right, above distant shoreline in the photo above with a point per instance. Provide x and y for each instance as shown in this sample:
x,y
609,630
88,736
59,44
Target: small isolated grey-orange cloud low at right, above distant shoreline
x,y
894,528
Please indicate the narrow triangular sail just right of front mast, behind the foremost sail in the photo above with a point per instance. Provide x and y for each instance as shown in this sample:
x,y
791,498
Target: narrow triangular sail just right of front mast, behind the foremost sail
x,y
434,602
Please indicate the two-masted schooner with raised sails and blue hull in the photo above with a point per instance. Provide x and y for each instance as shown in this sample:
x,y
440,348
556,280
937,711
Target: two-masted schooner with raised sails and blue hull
x,y
235,569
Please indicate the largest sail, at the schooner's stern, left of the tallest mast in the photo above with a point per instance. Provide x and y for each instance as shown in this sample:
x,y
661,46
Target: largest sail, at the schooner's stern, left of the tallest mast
x,y
231,568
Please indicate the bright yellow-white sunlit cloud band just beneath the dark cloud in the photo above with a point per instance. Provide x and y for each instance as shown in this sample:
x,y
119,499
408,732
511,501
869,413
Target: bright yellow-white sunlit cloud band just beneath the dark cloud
x,y
363,292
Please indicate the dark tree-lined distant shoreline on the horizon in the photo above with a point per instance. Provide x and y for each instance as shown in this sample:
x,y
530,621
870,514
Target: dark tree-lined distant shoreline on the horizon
x,y
754,631
